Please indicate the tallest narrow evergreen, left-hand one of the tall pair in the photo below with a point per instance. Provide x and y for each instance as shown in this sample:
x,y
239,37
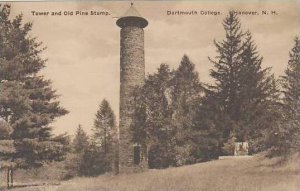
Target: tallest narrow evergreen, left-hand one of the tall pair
x,y
226,67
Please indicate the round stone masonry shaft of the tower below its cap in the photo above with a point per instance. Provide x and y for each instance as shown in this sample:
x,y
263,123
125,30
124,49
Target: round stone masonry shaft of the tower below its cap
x,y
132,68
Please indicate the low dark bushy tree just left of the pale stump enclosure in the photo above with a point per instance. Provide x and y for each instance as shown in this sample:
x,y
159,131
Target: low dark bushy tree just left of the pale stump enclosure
x,y
207,134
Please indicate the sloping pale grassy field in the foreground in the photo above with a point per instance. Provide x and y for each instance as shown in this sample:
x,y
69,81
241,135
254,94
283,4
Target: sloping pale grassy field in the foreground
x,y
232,174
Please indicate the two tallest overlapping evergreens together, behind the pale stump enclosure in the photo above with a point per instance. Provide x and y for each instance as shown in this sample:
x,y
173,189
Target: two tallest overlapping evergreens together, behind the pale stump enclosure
x,y
244,93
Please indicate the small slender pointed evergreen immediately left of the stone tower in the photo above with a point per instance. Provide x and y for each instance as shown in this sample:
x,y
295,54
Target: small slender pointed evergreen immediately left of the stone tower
x,y
104,132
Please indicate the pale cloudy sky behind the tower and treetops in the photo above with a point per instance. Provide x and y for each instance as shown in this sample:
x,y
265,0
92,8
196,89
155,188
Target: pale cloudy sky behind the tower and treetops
x,y
83,50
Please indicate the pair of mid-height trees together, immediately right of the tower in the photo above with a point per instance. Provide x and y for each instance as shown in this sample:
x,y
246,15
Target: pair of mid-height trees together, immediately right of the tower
x,y
165,115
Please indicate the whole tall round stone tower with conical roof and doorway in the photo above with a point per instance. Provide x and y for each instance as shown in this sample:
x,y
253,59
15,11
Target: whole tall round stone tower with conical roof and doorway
x,y
132,157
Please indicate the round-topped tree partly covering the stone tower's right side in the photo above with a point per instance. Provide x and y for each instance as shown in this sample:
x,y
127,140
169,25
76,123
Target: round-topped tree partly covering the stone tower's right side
x,y
152,118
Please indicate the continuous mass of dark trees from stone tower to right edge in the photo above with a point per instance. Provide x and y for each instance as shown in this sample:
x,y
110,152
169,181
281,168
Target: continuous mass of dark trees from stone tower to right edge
x,y
184,121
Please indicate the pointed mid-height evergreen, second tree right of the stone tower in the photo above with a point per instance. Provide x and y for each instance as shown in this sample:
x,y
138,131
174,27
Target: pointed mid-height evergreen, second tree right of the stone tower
x,y
186,94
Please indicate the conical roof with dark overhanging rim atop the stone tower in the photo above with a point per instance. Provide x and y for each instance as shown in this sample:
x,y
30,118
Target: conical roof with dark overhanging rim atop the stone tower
x,y
132,18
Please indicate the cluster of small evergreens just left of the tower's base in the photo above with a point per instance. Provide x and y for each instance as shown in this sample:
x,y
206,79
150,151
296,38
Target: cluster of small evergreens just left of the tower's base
x,y
97,154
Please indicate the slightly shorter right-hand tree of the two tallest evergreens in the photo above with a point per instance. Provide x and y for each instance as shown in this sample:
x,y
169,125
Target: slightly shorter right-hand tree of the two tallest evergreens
x,y
258,95
